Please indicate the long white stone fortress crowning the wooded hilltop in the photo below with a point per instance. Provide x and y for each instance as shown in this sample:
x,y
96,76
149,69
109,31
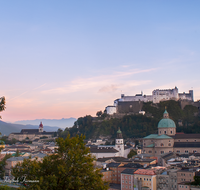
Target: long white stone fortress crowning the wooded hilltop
x,y
133,104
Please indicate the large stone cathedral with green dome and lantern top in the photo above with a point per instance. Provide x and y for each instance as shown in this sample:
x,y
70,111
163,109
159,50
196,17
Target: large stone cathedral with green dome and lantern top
x,y
167,140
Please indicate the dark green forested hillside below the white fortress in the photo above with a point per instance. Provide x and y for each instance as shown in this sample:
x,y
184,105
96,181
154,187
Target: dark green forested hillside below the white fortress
x,y
138,125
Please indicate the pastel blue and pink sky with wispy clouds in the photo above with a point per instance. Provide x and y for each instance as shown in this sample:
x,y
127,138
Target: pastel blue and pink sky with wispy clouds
x,y
61,59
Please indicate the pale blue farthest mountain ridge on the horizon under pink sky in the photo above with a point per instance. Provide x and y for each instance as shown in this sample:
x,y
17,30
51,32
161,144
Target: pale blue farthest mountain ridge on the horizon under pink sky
x,y
61,123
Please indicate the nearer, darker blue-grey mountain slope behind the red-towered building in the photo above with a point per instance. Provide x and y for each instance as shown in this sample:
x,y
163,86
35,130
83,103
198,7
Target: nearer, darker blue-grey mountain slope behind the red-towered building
x,y
7,128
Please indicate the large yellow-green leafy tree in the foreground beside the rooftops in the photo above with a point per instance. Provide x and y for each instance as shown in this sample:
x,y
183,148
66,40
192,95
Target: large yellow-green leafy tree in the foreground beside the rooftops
x,y
70,167
